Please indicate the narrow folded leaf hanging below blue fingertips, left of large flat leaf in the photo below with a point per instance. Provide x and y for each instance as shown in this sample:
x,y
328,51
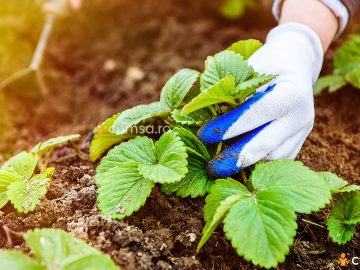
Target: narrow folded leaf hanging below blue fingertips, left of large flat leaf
x,y
223,195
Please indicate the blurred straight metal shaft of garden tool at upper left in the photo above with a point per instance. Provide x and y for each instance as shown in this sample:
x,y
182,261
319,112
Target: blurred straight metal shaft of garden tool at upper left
x,y
45,33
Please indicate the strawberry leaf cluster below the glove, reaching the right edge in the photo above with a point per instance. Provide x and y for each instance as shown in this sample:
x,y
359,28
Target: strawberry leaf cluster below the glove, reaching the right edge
x,y
259,216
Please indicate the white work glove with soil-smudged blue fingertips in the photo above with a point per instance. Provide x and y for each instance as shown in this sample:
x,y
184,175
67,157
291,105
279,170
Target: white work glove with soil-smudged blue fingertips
x,y
277,119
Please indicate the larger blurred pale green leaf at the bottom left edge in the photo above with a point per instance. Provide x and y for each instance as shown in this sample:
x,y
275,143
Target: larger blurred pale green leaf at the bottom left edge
x,y
59,250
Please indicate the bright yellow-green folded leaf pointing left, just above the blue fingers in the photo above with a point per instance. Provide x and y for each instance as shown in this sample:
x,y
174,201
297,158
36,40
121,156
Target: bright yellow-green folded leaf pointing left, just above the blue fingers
x,y
220,92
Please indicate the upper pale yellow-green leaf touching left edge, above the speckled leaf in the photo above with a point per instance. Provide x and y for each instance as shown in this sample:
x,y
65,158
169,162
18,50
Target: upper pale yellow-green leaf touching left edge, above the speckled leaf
x,y
23,164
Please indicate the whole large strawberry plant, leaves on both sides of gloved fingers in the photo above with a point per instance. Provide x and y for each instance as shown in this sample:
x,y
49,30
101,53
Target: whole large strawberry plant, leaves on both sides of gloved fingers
x,y
259,215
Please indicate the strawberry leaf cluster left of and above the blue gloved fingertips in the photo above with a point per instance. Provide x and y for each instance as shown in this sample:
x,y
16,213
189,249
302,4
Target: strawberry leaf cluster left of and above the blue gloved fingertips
x,y
177,161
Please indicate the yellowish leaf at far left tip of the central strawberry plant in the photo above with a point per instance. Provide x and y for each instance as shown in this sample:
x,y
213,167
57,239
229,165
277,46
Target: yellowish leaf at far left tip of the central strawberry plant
x,y
104,138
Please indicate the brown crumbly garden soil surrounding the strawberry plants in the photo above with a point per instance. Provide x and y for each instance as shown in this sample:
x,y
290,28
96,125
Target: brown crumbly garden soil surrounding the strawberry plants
x,y
159,37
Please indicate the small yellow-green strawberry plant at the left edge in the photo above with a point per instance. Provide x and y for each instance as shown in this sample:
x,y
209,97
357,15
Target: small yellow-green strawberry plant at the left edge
x,y
20,183
